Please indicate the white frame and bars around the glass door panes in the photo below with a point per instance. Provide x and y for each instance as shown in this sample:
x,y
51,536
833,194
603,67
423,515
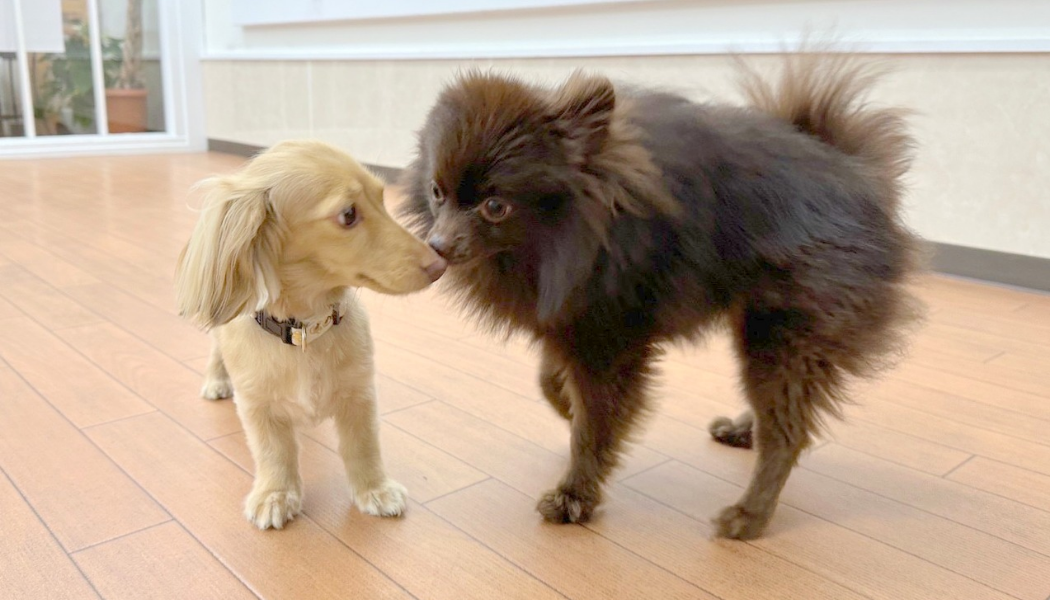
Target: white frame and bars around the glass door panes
x,y
182,39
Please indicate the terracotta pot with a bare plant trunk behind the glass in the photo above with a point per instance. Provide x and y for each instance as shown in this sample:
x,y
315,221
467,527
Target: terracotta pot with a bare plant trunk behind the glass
x,y
127,98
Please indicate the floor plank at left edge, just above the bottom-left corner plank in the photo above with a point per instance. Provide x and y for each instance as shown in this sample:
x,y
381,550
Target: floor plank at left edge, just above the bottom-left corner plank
x,y
82,496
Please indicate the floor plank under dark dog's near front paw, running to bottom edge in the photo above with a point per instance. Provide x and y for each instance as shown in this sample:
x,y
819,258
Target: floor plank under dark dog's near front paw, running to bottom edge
x,y
577,562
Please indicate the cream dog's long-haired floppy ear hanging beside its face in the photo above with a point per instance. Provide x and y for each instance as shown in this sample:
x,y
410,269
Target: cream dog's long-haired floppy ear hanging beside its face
x,y
229,265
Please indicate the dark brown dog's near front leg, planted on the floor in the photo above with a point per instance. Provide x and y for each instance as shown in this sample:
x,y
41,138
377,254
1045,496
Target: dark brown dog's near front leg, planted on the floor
x,y
607,400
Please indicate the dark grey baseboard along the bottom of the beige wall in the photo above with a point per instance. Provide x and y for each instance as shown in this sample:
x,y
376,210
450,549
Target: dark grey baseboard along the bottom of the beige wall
x,y
993,266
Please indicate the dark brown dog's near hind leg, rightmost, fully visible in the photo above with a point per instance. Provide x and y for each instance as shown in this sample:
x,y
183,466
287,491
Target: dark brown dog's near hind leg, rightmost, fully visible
x,y
790,384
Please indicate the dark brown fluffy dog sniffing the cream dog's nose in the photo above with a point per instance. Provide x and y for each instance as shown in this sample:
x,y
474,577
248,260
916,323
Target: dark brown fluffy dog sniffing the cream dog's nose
x,y
606,222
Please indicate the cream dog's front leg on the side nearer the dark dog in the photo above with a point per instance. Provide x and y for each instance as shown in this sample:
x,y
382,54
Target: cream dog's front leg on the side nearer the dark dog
x,y
358,424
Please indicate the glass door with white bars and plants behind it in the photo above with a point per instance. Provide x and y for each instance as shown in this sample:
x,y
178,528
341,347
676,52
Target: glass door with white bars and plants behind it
x,y
83,72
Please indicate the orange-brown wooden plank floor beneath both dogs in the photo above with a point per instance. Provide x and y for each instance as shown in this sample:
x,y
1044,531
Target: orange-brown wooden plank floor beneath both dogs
x,y
118,482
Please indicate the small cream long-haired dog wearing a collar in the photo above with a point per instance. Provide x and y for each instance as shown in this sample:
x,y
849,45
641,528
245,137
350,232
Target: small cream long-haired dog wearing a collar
x,y
268,268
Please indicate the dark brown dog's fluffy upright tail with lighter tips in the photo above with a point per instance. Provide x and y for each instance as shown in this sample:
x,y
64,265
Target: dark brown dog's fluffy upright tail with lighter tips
x,y
826,95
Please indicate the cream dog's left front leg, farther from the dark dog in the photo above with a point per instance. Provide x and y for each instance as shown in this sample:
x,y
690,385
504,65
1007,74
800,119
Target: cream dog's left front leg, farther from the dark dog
x,y
277,495
